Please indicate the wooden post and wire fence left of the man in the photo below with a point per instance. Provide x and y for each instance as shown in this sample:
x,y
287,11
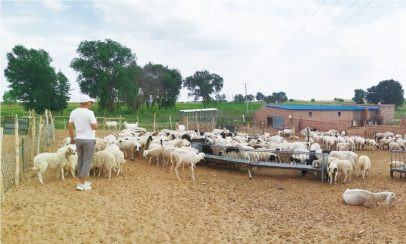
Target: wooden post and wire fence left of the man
x,y
22,138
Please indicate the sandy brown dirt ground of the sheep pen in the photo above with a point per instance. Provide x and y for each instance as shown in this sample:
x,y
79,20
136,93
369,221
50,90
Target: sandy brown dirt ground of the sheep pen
x,y
149,205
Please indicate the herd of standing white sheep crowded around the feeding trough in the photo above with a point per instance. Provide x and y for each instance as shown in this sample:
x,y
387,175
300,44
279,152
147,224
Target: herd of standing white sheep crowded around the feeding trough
x,y
174,147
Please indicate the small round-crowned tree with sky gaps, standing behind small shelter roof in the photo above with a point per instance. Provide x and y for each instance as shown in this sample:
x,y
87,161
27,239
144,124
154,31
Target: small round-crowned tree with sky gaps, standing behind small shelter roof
x,y
203,84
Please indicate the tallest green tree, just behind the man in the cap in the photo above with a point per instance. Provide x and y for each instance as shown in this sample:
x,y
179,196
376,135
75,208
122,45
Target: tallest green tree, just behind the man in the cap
x,y
106,70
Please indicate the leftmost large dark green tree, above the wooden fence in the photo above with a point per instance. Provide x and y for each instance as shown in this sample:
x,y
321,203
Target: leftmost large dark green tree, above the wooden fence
x,y
33,80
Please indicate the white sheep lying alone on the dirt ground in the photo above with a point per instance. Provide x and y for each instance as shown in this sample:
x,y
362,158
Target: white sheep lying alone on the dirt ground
x,y
358,197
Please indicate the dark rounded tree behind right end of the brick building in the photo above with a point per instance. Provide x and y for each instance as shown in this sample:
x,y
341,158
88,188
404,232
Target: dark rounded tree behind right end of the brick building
x,y
387,91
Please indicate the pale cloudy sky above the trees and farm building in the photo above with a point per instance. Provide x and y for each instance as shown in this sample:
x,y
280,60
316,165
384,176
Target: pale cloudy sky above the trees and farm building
x,y
307,49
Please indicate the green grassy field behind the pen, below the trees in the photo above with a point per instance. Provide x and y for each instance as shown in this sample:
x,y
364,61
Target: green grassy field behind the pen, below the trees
x,y
230,111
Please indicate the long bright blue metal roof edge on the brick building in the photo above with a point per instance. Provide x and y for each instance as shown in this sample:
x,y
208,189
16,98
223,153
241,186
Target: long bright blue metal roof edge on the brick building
x,y
321,107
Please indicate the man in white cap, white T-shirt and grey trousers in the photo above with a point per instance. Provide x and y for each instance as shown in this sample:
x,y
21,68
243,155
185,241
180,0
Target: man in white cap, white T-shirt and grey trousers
x,y
85,123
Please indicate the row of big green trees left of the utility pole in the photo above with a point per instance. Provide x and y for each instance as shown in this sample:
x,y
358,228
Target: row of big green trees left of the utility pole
x,y
108,72
